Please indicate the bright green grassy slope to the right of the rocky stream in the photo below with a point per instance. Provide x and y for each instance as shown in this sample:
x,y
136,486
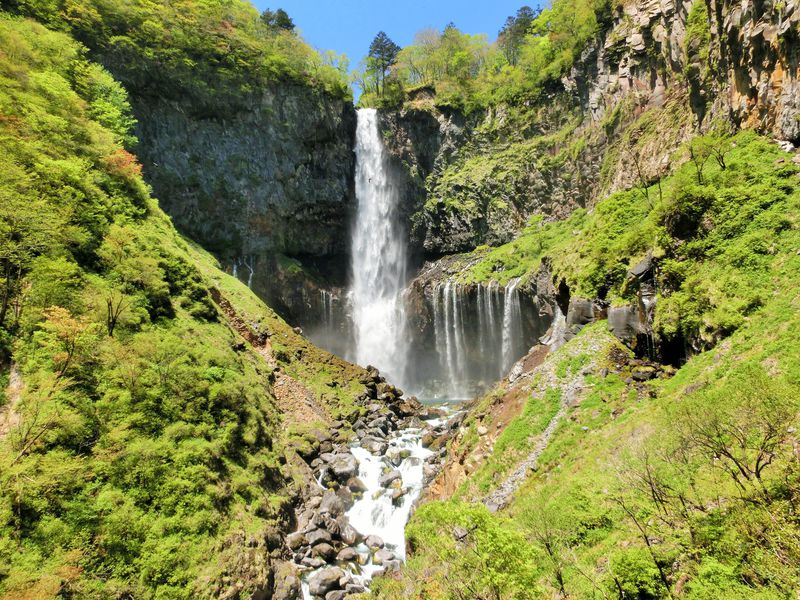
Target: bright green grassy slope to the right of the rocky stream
x,y
657,466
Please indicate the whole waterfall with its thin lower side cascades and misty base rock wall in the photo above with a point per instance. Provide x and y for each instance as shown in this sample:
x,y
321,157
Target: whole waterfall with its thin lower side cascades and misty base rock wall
x,y
445,340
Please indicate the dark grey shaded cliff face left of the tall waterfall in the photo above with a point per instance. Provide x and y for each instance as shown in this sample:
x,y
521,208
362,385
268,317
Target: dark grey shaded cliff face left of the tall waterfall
x,y
272,177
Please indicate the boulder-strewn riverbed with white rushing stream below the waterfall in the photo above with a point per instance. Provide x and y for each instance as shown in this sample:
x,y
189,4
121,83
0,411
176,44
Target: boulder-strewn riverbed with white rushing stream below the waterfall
x,y
368,475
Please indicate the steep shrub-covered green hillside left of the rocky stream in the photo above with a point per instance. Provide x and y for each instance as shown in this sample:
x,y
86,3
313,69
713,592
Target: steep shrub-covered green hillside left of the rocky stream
x,y
141,452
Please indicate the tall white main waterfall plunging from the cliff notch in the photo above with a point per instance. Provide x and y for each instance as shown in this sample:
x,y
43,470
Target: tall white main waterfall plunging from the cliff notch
x,y
379,256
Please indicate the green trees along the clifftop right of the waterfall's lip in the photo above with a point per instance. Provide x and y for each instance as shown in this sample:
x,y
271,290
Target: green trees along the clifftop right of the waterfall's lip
x,y
532,52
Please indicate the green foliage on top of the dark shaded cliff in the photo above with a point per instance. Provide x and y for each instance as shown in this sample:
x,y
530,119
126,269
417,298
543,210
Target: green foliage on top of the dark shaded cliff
x,y
216,52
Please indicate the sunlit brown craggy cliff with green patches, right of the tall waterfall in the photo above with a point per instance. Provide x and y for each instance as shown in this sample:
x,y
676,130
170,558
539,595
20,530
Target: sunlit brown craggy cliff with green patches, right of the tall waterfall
x,y
657,73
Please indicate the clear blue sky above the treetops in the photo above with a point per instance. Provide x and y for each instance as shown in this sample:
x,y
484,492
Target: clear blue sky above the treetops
x,y
348,26
